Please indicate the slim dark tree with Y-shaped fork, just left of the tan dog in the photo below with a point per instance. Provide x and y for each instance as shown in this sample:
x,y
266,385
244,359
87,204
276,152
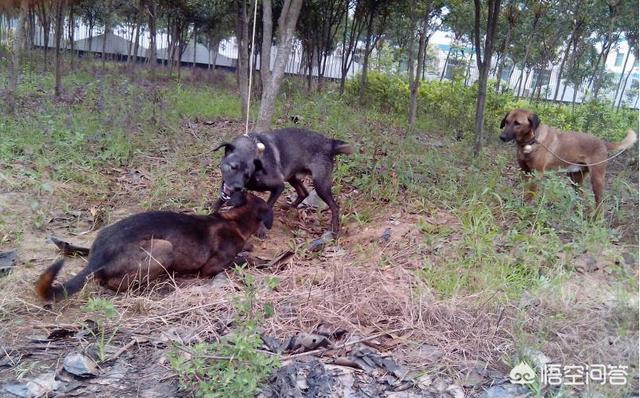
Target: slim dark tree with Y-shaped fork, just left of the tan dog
x,y
483,60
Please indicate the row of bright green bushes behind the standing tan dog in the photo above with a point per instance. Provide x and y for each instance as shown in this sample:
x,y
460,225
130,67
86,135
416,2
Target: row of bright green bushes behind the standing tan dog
x,y
451,106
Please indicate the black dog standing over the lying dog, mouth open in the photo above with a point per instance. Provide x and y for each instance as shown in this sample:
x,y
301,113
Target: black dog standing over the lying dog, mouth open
x,y
264,161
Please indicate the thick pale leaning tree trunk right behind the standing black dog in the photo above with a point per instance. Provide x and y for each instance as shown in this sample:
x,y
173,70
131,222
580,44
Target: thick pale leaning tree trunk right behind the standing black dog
x,y
286,29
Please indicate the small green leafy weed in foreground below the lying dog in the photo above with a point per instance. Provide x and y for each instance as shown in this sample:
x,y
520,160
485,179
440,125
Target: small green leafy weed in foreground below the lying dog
x,y
234,366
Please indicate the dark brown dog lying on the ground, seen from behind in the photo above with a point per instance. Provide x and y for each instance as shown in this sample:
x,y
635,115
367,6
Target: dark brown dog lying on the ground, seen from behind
x,y
145,246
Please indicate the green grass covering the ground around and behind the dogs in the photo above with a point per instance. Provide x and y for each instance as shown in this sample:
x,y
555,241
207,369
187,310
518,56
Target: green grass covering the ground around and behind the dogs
x,y
493,248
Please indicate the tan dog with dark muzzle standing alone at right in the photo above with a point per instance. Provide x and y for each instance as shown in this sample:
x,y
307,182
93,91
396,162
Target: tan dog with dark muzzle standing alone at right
x,y
541,148
